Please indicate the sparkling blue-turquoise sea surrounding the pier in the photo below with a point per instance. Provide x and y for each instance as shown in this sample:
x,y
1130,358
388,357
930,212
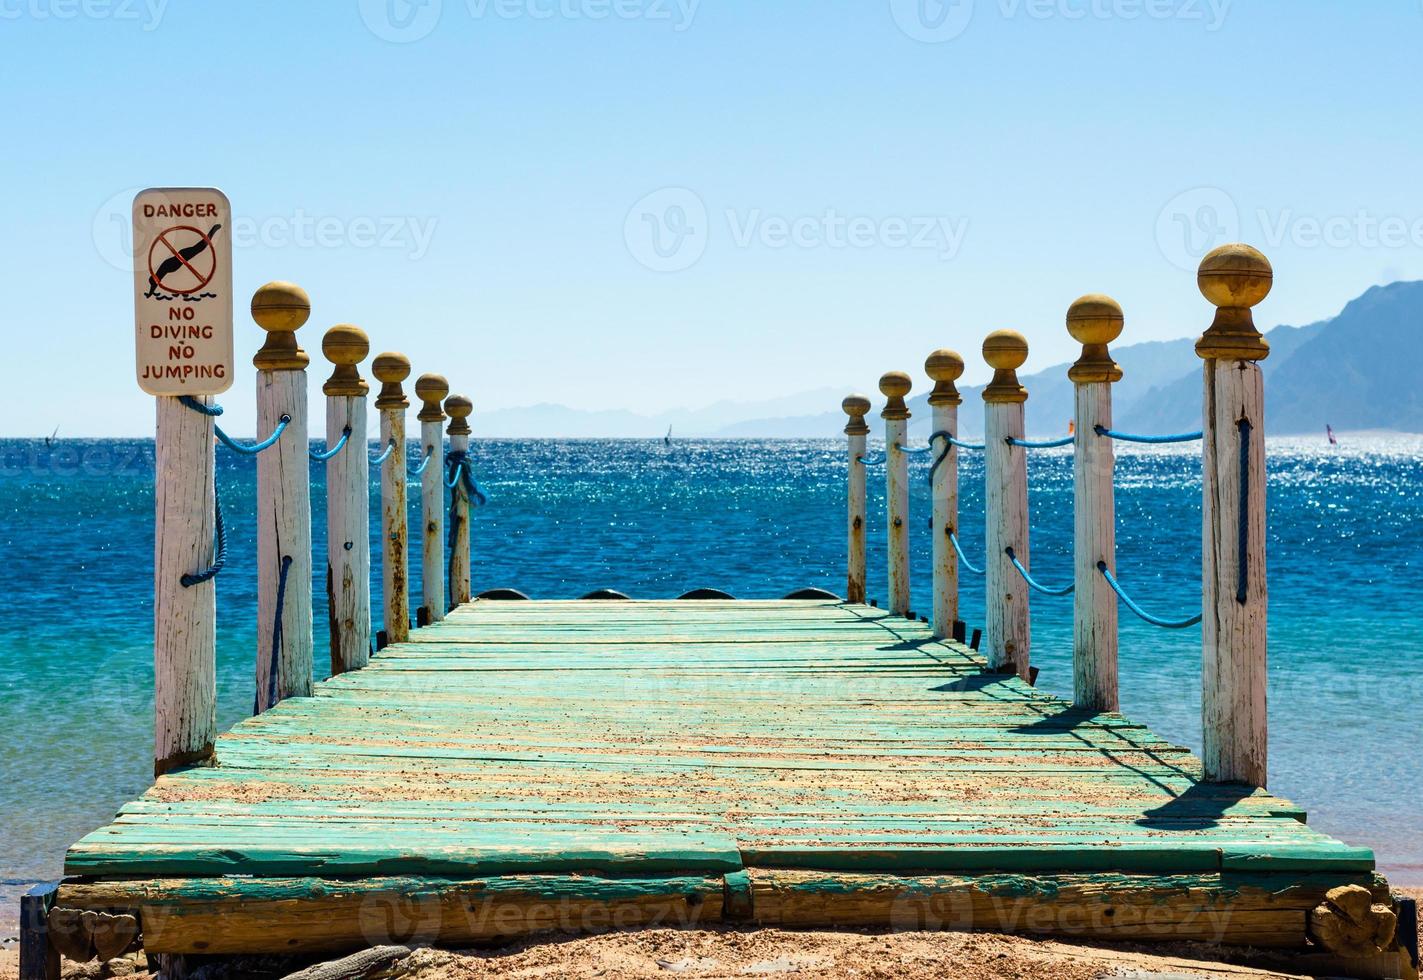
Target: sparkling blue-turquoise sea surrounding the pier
x,y
758,520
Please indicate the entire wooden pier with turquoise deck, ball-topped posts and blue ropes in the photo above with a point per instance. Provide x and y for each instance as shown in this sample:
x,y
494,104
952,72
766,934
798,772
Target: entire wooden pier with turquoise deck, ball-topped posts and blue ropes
x,y
503,767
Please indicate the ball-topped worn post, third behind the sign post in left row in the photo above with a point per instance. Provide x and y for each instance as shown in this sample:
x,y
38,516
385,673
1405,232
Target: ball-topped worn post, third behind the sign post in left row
x,y
395,523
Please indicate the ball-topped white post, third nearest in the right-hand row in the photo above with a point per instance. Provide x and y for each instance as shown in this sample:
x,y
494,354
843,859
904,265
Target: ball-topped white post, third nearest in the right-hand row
x,y
1005,503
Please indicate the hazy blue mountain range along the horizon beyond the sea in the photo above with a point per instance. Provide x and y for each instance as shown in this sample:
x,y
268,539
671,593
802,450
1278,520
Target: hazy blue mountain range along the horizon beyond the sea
x,y
1361,371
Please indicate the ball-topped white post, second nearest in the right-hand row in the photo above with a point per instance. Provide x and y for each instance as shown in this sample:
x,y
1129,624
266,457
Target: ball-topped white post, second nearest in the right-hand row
x,y
1095,322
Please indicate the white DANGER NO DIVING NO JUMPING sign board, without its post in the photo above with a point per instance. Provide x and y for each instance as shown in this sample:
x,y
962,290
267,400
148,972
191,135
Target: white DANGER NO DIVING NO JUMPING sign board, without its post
x,y
183,291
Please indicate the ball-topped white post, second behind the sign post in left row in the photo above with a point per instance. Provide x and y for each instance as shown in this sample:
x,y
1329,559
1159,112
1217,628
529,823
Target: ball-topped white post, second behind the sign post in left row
x,y
348,500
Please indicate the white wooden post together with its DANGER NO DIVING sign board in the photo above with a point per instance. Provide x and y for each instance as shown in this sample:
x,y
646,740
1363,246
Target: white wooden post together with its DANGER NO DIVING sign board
x,y
183,304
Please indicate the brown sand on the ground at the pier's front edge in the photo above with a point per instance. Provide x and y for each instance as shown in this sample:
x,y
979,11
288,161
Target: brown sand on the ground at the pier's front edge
x,y
769,954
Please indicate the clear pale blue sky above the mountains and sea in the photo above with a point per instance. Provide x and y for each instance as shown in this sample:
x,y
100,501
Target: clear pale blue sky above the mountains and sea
x,y
469,180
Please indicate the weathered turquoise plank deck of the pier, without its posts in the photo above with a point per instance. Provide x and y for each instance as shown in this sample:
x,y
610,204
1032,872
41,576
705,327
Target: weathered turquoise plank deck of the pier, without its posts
x,y
527,766
